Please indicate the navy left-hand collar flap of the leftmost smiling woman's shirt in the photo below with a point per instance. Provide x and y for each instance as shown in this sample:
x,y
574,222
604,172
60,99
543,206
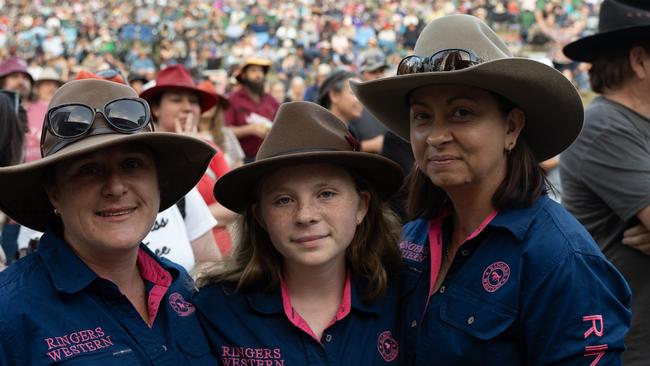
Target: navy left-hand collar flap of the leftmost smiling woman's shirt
x,y
68,272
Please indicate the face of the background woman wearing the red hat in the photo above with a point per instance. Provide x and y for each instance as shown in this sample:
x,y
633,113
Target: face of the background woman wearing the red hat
x,y
176,106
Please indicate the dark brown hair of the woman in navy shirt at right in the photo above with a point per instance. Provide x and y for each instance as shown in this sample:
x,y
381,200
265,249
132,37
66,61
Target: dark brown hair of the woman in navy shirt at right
x,y
524,183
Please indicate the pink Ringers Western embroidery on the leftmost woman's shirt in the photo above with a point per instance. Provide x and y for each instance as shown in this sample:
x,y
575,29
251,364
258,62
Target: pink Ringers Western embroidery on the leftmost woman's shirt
x,y
75,343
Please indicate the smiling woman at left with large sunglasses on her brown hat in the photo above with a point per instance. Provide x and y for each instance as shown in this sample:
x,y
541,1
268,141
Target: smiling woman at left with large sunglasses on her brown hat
x,y
93,293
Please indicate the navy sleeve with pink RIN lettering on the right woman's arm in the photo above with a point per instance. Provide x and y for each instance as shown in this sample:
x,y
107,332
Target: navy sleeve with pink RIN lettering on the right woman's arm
x,y
577,314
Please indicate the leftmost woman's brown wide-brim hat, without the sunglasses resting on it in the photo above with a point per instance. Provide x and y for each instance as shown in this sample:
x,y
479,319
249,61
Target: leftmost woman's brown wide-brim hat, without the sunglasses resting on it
x,y
180,160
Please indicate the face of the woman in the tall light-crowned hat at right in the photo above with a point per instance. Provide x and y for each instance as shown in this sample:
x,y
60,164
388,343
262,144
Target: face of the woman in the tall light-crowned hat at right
x,y
460,136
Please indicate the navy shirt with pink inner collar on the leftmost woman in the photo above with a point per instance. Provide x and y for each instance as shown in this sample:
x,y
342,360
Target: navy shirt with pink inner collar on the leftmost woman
x,y
55,310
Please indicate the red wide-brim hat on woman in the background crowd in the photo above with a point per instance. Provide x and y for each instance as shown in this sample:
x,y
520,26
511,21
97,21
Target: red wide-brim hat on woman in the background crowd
x,y
177,77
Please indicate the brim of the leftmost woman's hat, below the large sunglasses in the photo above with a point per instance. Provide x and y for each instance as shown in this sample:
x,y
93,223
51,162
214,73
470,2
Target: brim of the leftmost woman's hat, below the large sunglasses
x,y
180,162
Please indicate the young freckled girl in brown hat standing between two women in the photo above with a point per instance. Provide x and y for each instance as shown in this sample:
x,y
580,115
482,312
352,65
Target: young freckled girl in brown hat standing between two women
x,y
312,279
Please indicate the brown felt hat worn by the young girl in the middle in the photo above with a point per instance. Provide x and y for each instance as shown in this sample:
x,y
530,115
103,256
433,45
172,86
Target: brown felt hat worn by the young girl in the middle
x,y
306,133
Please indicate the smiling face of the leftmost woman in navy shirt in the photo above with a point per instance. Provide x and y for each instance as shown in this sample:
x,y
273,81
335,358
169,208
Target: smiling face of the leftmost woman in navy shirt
x,y
107,200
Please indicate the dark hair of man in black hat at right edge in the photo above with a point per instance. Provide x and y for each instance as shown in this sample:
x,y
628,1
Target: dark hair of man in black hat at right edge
x,y
612,68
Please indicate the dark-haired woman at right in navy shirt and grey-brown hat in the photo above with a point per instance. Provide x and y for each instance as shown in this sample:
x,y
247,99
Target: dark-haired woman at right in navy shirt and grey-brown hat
x,y
495,272
